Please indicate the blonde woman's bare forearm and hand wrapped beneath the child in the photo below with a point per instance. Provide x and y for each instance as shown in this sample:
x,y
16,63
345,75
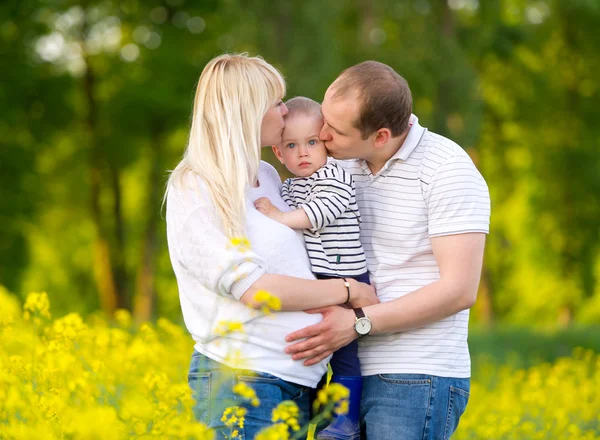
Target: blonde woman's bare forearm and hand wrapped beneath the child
x,y
302,294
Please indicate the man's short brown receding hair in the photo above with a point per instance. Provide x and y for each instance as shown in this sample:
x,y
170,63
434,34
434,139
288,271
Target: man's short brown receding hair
x,y
386,101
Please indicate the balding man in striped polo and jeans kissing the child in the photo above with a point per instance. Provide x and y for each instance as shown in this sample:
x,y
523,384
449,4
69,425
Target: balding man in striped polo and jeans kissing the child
x,y
425,211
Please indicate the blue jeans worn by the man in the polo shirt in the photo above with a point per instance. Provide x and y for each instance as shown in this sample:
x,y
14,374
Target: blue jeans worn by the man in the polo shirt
x,y
412,406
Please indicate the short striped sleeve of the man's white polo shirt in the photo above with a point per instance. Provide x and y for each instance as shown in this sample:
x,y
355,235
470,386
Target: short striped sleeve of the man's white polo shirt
x,y
458,199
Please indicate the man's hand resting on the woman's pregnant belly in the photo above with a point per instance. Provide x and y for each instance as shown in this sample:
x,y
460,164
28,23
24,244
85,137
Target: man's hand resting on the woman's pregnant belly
x,y
335,331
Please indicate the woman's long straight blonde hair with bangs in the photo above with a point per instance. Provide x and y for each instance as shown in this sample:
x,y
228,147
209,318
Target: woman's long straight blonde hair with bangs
x,y
234,93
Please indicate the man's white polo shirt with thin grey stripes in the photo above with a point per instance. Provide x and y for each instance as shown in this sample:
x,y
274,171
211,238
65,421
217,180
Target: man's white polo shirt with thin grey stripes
x,y
429,188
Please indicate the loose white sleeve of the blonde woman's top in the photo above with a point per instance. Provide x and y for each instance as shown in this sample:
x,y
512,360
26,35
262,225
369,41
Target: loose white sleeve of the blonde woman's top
x,y
225,266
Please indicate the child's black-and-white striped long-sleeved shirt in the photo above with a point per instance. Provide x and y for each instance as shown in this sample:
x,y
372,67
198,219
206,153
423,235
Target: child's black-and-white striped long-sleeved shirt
x,y
328,198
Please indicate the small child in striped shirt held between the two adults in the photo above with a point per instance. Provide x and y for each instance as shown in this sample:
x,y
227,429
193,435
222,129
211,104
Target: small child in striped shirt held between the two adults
x,y
323,196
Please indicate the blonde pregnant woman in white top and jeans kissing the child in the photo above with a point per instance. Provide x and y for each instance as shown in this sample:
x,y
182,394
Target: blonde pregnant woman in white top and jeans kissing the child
x,y
210,208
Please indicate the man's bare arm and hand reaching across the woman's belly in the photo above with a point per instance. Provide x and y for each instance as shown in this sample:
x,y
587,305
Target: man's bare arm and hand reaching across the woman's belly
x,y
460,259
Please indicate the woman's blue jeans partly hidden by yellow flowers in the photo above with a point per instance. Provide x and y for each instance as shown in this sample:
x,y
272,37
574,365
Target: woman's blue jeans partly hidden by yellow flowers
x,y
212,383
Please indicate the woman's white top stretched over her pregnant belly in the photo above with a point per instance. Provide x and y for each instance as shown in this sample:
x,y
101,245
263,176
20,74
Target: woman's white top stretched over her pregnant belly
x,y
212,275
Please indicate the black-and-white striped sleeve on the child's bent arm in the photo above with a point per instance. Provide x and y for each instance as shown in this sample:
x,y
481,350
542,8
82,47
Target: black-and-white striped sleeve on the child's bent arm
x,y
331,195
